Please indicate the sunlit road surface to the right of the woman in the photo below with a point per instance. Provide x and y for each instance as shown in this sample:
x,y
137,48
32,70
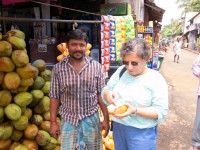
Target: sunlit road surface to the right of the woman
x,y
175,132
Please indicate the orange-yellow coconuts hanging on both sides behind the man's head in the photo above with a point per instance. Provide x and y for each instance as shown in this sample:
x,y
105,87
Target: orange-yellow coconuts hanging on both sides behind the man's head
x,y
62,47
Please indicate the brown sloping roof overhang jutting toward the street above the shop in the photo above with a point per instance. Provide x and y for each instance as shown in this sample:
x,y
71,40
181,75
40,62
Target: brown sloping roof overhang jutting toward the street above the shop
x,y
155,12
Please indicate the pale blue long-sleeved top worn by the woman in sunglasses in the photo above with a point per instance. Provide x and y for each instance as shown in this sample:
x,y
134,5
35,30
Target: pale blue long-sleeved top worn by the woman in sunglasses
x,y
147,90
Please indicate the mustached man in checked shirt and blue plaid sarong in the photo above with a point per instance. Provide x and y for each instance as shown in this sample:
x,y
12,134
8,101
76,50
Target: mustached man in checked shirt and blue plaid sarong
x,y
75,91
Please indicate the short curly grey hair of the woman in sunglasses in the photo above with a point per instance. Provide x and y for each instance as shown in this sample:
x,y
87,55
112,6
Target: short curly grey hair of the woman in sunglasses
x,y
138,46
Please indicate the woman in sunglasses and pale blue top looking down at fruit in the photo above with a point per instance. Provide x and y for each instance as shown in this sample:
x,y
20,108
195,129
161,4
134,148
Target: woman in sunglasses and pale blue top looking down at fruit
x,y
144,91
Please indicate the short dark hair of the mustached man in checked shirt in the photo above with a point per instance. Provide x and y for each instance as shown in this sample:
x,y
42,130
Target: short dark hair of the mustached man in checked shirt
x,y
76,34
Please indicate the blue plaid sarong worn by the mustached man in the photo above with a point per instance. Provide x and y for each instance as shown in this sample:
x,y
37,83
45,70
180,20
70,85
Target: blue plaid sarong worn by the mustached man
x,y
85,136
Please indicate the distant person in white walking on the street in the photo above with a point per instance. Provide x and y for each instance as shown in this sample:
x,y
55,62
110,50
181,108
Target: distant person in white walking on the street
x,y
177,49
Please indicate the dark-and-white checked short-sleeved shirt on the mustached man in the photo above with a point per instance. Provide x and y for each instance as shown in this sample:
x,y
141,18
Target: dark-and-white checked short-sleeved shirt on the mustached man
x,y
77,92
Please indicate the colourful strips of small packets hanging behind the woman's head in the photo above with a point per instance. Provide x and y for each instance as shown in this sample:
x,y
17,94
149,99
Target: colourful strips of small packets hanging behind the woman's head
x,y
115,30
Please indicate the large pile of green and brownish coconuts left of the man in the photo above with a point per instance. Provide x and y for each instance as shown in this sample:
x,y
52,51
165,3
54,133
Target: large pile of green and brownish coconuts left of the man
x,y
24,101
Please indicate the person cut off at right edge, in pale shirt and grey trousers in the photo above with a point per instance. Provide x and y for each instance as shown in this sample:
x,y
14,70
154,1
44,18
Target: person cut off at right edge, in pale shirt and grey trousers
x,y
196,128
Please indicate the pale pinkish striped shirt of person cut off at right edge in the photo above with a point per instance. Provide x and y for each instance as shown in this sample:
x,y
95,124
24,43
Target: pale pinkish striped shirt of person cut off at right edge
x,y
196,70
